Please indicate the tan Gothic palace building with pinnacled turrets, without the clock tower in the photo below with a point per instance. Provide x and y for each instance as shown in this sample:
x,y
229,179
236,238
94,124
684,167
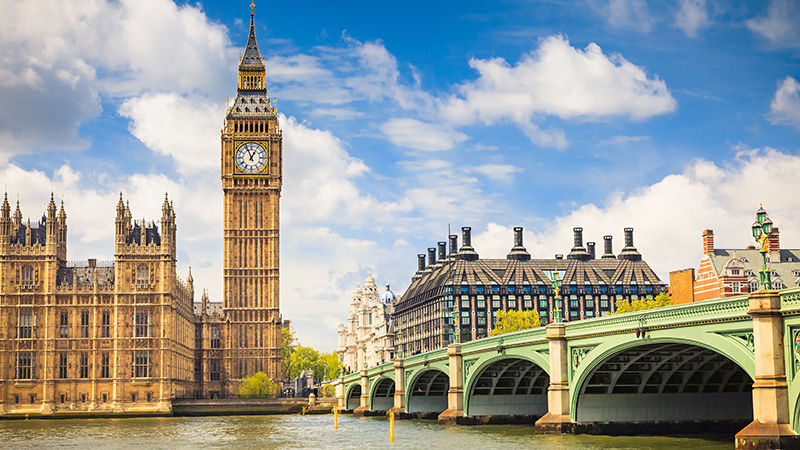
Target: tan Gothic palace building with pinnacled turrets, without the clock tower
x,y
93,336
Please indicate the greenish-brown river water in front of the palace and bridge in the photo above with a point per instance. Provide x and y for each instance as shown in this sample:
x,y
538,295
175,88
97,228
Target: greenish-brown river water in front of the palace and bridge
x,y
308,432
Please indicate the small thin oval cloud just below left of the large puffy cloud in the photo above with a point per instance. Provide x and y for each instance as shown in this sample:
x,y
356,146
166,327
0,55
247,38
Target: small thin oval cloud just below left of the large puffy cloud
x,y
412,133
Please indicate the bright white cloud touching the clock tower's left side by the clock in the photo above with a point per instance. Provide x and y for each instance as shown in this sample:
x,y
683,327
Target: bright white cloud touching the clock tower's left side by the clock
x,y
186,129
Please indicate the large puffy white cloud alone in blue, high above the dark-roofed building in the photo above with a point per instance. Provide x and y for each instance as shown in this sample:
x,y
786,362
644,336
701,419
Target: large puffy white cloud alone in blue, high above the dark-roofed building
x,y
559,80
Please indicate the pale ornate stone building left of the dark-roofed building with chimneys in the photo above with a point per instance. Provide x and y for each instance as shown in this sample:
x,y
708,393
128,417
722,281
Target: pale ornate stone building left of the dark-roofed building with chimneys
x,y
368,337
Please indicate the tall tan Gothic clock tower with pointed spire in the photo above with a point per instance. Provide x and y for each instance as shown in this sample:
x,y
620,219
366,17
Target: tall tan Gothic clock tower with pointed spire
x,y
251,181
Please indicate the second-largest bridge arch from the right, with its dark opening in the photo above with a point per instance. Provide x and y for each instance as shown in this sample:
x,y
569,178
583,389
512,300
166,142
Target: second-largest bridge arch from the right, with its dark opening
x,y
507,385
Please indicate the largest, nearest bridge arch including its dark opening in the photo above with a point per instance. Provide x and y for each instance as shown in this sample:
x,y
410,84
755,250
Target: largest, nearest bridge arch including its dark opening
x,y
665,379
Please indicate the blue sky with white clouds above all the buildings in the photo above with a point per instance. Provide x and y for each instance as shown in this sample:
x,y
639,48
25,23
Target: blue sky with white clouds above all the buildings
x,y
401,119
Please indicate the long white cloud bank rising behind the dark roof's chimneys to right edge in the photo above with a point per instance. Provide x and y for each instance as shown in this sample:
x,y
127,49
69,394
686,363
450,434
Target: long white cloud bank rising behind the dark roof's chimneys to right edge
x,y
704,195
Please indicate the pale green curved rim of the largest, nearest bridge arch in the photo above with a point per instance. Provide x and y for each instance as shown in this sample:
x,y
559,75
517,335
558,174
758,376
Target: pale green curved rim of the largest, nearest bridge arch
x,y
612,345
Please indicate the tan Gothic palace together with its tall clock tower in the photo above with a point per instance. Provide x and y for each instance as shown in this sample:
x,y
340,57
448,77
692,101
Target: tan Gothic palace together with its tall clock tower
x,y
125,336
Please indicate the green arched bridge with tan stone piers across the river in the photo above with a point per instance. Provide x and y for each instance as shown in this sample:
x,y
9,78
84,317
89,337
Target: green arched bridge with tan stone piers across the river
x,y
731,362
